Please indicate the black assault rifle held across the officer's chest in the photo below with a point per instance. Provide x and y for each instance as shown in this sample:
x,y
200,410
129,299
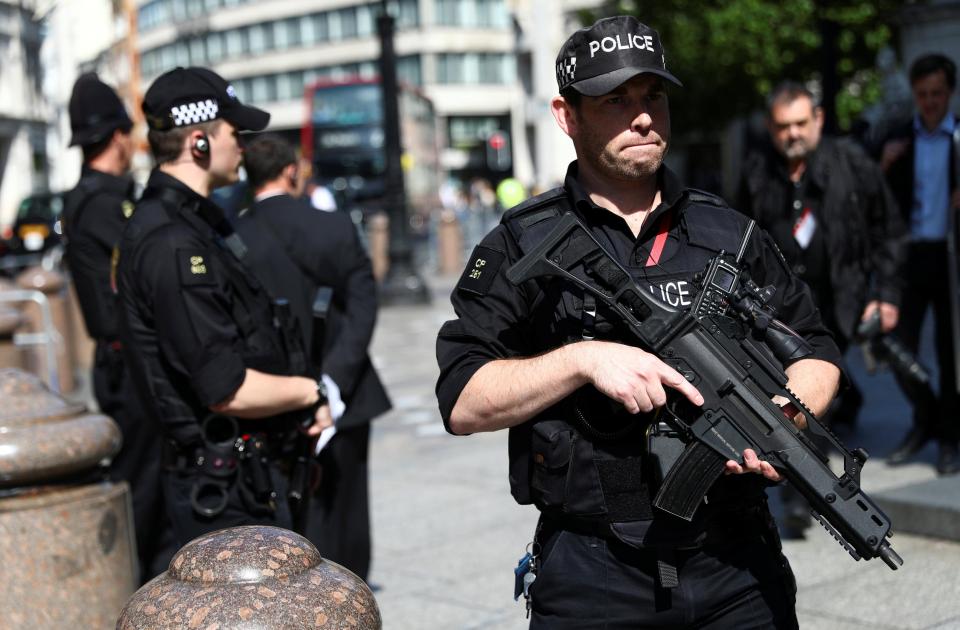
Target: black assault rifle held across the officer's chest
x,y
732,349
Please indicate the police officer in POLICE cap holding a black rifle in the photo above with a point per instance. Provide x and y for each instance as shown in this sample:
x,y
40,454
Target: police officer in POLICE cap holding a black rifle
x,y
543,360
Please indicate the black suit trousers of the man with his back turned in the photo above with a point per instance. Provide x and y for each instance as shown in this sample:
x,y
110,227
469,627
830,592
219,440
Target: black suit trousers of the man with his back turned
x,y
338,519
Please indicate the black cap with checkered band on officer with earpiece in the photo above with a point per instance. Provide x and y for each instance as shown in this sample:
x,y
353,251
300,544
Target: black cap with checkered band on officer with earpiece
x,y
189,96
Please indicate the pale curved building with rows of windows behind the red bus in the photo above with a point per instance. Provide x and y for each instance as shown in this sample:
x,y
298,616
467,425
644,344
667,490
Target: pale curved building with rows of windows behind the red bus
x,y
487,65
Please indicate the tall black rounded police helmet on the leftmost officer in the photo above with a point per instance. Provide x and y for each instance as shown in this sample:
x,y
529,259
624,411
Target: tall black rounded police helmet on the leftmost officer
x,y
95,111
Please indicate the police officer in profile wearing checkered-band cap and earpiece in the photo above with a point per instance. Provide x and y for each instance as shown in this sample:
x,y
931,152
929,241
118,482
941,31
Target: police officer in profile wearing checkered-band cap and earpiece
x,y
209,349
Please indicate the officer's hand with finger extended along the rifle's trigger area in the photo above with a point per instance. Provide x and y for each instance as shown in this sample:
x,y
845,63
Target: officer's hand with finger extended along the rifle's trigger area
x,y
632,377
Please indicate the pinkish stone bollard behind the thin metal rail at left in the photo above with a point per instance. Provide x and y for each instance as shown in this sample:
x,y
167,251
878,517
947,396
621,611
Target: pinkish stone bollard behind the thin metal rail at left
x,y
53,285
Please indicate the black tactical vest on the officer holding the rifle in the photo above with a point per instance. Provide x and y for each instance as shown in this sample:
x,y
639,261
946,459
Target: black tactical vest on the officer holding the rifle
x,y
584,459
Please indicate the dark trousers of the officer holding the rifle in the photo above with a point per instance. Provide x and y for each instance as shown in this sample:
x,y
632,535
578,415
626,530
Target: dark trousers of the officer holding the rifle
x,y
587,582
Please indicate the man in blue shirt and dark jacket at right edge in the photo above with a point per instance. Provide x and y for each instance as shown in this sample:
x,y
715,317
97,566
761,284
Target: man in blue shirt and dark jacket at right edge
x,y
920,161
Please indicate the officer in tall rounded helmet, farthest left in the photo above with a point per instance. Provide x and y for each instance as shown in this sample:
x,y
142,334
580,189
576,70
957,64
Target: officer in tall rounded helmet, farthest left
x,y
94,216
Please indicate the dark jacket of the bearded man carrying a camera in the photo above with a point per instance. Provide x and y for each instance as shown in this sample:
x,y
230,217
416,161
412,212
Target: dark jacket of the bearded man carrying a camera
x,y
865,236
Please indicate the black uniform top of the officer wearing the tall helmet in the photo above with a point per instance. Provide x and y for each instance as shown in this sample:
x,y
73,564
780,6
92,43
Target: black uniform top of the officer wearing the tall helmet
x,y
94,216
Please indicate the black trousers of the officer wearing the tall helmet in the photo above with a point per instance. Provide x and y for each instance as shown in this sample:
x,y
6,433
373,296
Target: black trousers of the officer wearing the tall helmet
x,y
138,462
